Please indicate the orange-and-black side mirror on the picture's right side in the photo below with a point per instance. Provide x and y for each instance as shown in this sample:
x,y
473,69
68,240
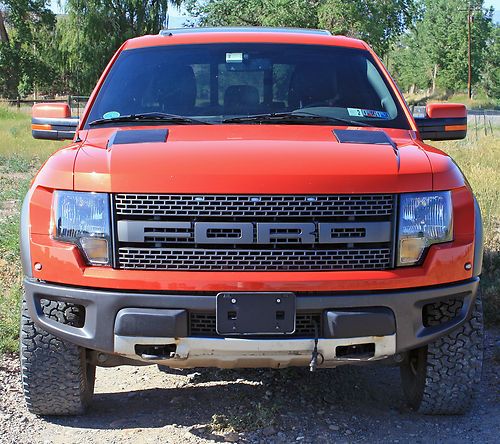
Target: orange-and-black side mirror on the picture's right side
x,y
443,121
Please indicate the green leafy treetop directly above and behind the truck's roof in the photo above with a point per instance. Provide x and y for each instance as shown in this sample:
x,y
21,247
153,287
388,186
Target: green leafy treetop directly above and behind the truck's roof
x,y
380,22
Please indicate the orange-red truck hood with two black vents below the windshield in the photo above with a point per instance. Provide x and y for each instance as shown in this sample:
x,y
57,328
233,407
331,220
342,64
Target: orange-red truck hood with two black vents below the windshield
x,y
225,159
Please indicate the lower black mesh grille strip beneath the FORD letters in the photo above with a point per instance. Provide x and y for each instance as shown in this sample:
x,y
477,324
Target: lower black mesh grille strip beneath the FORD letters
x,y
253,260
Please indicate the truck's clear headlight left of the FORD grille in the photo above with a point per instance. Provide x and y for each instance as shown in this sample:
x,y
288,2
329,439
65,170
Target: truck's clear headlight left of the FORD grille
x,y
83,219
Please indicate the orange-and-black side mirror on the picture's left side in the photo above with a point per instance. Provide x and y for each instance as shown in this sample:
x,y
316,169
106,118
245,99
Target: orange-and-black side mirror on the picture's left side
x,y
52,121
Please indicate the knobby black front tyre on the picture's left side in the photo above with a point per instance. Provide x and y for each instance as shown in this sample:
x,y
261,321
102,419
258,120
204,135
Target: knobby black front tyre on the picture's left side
x,y
56,376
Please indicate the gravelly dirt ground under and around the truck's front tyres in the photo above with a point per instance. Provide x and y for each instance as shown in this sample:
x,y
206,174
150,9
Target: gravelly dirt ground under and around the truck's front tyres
x,y
347,404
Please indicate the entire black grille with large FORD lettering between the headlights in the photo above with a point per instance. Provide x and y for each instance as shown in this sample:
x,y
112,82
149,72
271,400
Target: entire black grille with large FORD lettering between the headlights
x,y
175,247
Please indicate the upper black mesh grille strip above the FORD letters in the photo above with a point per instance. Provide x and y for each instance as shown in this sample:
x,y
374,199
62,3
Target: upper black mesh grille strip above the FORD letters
x,y
253,206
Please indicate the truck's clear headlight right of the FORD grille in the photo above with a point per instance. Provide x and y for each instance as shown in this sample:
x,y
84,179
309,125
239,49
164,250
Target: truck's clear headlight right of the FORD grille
x,y
424,219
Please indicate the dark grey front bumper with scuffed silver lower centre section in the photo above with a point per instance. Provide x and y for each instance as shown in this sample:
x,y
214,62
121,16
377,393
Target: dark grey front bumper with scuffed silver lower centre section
x,y
102,332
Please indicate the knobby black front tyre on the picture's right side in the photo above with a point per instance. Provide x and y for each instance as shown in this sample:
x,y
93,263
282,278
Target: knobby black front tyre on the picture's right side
x,y
443,377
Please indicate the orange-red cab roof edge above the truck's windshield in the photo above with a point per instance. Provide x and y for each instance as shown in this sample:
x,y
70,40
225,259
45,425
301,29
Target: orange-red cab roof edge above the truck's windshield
x,y
243,35
